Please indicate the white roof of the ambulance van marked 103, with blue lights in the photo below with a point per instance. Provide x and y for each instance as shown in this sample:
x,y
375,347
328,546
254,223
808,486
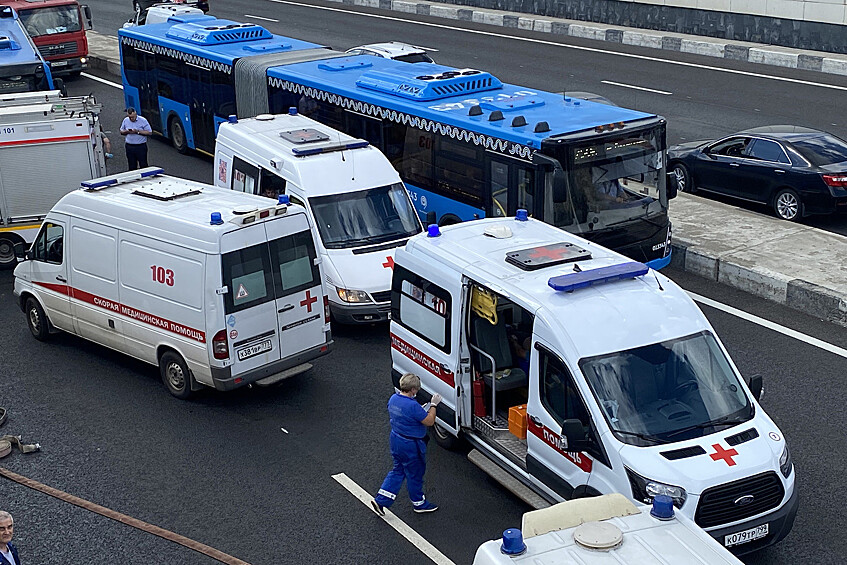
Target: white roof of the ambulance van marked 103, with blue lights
x,y
171,209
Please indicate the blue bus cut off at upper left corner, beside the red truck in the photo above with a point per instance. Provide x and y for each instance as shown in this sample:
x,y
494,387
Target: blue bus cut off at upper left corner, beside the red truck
x,y
22,69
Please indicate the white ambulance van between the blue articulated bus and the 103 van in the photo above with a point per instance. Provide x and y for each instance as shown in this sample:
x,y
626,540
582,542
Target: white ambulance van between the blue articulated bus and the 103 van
x,y
358,206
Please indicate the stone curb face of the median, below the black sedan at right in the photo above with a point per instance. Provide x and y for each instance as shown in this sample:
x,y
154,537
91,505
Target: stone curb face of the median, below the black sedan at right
x,y
809,298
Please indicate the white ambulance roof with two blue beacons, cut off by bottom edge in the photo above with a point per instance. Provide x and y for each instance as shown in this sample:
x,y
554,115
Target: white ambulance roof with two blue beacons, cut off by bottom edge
x,y
607,529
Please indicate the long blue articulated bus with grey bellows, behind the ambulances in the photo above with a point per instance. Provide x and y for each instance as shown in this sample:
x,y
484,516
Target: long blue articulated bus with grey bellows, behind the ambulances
x,y
466,144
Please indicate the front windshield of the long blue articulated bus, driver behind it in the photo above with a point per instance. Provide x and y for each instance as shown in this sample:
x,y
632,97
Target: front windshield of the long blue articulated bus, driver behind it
x,y
611,182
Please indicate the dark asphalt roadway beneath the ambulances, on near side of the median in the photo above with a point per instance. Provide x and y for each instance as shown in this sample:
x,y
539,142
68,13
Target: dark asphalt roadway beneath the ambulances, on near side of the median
x,y
221,470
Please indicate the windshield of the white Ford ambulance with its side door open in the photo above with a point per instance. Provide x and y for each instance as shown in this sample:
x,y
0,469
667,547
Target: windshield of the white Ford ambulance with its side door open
x,y
668,391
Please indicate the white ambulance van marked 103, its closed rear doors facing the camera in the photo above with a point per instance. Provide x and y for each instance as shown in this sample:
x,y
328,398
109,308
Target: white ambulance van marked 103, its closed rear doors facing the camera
x,y
217,288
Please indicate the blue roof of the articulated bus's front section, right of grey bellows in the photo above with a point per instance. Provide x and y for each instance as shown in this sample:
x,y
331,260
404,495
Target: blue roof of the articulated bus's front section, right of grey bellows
x,y
446,95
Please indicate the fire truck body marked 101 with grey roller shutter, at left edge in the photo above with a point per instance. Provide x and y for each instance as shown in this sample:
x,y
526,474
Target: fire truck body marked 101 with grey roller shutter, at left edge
x,y
48,145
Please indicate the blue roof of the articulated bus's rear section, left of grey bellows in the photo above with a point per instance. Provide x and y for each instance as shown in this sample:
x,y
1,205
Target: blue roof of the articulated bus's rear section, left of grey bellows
x,y
223,41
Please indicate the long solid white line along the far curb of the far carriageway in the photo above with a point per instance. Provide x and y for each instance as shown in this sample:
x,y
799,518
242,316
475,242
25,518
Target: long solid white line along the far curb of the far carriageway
x,y
575,47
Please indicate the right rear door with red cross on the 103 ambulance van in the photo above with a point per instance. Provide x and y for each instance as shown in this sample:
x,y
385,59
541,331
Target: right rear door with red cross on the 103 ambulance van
x,y
297,281
